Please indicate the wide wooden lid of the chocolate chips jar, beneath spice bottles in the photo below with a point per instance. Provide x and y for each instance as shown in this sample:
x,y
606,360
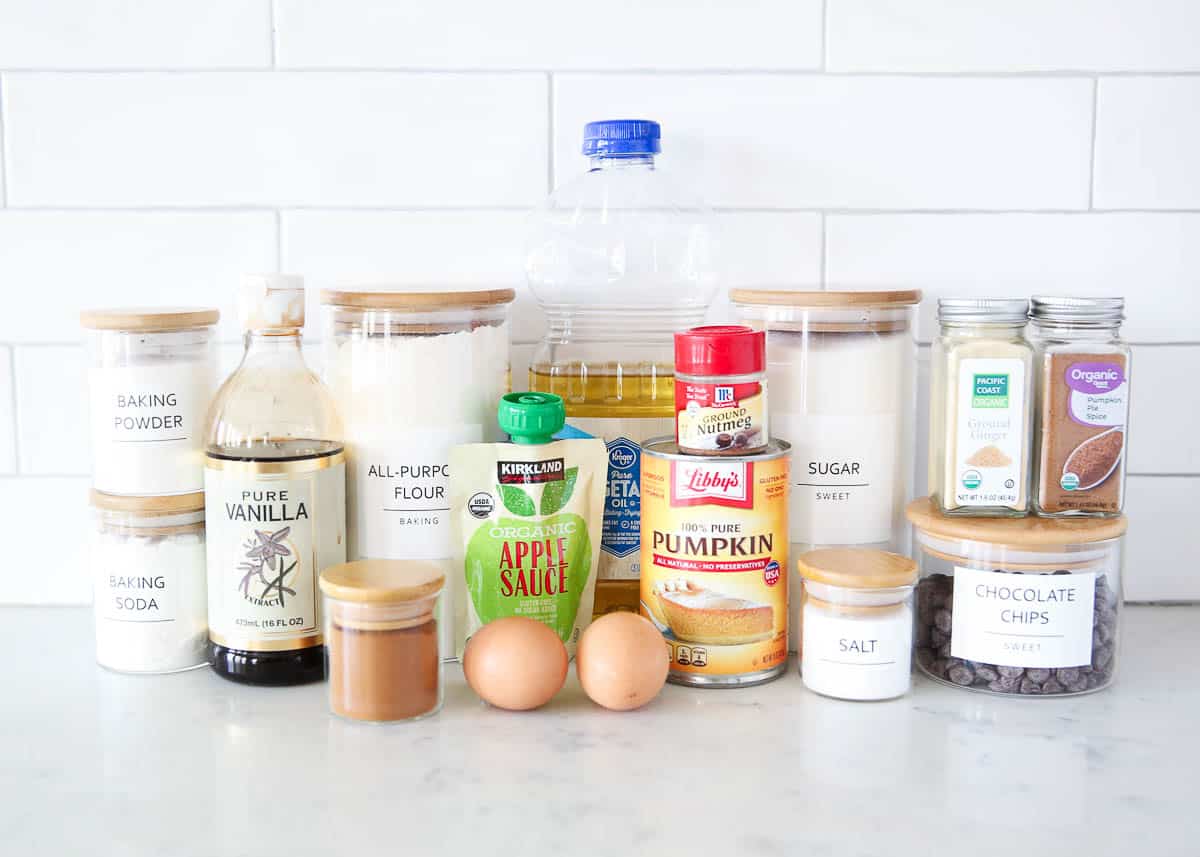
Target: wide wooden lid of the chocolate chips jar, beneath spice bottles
x,y
1019,532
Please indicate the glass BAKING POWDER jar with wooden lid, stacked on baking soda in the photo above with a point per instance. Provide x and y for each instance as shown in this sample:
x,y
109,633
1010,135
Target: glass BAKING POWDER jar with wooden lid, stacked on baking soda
x,y
152,377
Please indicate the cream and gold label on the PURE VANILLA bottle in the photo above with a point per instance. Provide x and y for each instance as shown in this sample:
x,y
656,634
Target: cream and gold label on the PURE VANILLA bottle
x,y
273,526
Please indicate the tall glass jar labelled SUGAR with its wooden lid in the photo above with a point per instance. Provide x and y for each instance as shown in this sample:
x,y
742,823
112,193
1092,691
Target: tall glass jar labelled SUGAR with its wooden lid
x,y
841,367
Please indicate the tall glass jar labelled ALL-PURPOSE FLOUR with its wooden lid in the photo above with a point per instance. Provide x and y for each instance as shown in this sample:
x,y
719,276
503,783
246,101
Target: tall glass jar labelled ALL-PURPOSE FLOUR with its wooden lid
x,y
413,374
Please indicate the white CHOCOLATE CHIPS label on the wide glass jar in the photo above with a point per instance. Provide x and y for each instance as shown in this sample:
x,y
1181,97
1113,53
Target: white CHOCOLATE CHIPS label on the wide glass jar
x,y
1023,620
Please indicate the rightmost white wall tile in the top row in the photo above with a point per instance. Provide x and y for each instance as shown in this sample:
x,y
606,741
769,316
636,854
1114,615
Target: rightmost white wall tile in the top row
x,y
1012,35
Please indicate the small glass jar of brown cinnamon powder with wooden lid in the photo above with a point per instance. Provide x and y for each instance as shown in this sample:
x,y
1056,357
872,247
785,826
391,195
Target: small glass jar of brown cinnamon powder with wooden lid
x,y
382,639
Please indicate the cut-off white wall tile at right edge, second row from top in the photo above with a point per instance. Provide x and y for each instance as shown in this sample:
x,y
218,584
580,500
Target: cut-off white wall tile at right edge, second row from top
x,y
1148,134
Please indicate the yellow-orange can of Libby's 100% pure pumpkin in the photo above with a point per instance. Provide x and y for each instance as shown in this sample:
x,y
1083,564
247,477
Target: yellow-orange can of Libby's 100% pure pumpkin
x,y
715,562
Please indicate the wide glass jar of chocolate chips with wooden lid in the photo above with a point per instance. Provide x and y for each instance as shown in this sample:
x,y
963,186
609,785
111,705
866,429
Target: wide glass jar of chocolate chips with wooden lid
x,y
1028,607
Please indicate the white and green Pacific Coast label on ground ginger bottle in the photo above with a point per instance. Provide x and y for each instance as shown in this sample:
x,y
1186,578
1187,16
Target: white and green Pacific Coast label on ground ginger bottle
x,y
991,429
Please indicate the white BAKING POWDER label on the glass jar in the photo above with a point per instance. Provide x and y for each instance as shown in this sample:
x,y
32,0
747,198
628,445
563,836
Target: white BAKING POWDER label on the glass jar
x,y
147,428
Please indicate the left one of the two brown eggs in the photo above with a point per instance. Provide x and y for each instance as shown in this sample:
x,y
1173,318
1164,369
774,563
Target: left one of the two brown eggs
x,y
515,663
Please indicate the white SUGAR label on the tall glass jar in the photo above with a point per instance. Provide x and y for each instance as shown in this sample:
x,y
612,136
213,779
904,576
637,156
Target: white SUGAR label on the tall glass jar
x,y
844,477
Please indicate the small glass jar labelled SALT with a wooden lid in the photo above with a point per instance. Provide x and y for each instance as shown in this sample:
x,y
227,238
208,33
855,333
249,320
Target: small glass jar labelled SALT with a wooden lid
x,y
856,616
